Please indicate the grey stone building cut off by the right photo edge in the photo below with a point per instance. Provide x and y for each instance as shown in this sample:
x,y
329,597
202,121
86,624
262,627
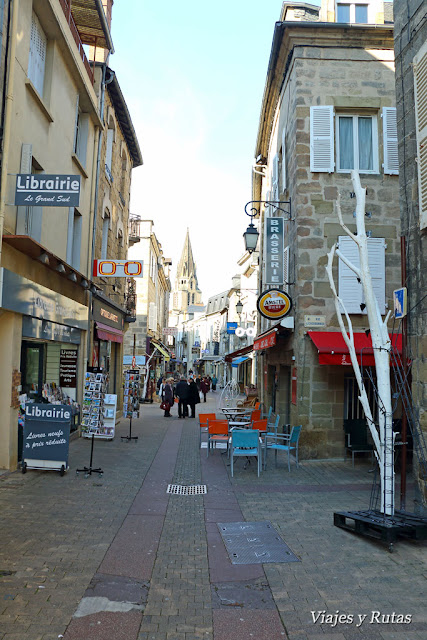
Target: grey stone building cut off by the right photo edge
x,y
410,43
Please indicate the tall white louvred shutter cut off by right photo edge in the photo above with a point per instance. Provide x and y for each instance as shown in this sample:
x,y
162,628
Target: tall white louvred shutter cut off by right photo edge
x,y
420,86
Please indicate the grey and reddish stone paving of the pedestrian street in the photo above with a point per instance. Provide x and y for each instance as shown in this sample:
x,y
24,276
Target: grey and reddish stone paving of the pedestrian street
x,y
117,558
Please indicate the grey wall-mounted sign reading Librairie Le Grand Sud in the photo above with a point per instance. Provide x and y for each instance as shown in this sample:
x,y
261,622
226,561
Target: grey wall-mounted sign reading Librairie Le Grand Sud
x,y
43,190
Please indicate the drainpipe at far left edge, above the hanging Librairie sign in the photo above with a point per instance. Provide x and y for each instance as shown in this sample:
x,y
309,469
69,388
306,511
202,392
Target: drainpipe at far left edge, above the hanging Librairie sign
x,y
8,108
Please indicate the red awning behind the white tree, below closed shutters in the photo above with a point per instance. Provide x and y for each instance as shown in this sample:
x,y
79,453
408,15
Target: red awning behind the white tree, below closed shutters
x,y
333,350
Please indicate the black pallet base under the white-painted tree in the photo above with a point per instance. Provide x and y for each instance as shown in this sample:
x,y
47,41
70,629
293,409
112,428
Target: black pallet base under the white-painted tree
x,y
374,524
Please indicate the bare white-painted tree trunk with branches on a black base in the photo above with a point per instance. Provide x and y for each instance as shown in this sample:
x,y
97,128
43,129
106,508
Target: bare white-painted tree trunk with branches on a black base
x,y
383,438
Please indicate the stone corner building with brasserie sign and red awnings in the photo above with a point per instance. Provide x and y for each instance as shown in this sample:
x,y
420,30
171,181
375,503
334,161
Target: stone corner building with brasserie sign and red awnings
x,y
328,107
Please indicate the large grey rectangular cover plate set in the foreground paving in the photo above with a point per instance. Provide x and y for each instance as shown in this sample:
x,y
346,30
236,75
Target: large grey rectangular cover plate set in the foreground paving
x,y
254,543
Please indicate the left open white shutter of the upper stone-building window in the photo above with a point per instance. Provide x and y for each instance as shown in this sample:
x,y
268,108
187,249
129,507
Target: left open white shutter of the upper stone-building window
x,y
322,139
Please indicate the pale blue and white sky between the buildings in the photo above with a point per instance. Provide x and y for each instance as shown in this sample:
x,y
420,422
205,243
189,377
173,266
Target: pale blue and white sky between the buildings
x,y
192,73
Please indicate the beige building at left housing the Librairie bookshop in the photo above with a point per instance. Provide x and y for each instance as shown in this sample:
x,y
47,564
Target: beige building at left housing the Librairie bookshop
x,y
45,251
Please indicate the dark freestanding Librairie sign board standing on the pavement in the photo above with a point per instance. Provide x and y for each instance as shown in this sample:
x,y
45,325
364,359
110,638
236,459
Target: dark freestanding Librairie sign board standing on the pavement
x,y
46,435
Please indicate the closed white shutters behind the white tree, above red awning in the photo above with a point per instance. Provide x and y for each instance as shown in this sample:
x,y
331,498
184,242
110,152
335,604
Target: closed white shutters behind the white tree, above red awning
x,y
349,289
